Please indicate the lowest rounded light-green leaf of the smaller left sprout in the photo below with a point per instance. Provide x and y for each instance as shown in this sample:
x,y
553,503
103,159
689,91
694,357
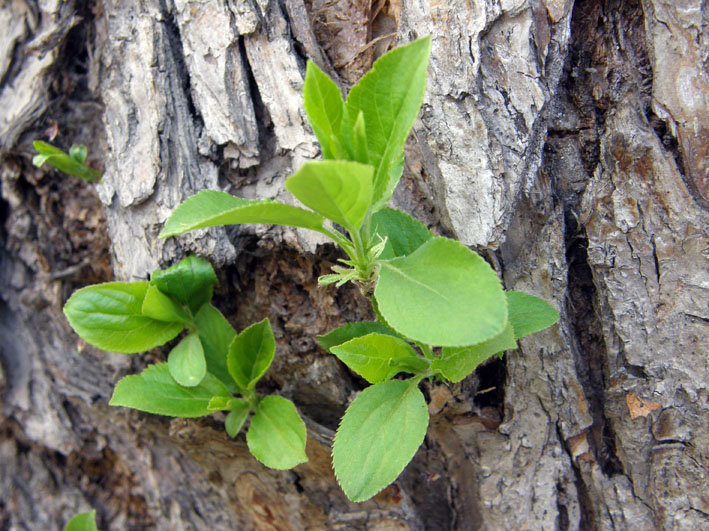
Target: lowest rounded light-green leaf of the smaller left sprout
x,y
276,436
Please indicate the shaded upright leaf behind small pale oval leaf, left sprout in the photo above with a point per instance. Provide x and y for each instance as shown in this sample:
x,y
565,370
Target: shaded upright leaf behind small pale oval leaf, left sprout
x,y
216,335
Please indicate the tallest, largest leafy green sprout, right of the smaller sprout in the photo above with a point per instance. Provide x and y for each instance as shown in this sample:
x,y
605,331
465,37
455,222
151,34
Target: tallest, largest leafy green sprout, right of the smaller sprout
x,y
441,308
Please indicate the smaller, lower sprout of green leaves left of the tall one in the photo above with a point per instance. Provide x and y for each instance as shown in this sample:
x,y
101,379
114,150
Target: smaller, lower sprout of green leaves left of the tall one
x,y
211,368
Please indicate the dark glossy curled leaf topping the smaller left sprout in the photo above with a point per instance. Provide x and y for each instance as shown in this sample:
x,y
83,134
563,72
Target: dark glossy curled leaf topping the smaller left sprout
x,y
189,281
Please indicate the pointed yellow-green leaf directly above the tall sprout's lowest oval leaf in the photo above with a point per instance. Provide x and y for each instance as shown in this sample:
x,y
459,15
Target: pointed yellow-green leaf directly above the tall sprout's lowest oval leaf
x,y
370,356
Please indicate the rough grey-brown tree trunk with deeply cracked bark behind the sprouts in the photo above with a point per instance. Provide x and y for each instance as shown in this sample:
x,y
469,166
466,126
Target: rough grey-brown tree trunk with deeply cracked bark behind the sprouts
x,y
565,141
